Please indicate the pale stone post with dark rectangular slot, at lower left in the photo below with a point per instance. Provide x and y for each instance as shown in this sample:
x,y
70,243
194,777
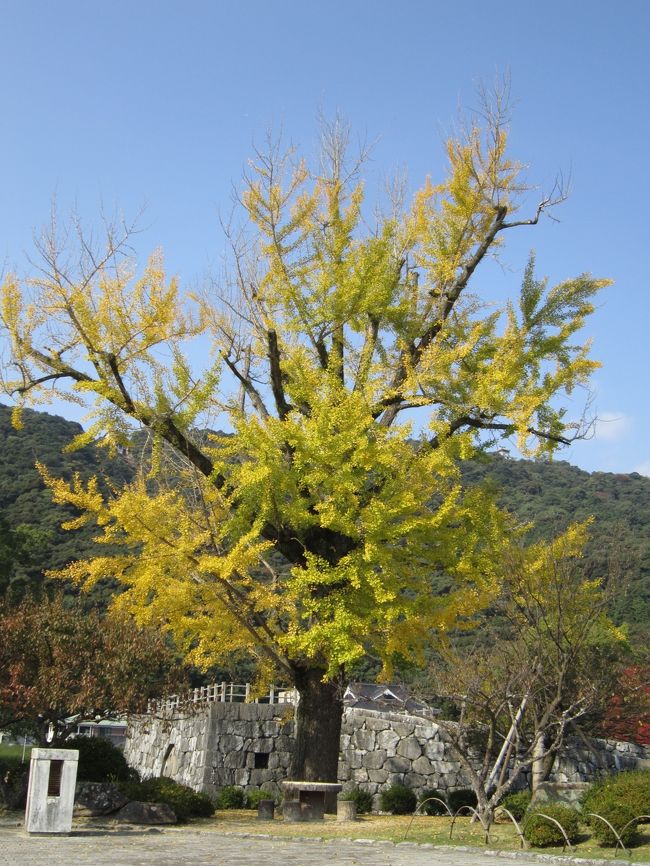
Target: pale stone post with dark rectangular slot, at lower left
x,y
50,795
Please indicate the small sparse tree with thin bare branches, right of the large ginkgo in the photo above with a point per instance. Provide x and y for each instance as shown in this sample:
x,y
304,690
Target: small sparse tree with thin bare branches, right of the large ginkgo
x,y
554,665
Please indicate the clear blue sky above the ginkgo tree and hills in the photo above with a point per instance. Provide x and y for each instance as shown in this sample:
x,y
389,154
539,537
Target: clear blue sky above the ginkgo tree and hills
x,y
158,104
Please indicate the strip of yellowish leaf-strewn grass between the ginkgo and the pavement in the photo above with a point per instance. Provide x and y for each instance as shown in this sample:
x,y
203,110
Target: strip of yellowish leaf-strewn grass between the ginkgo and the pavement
x,y
422,829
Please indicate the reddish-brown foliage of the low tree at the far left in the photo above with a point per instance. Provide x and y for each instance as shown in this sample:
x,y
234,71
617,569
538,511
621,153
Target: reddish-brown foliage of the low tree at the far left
x,y
57,659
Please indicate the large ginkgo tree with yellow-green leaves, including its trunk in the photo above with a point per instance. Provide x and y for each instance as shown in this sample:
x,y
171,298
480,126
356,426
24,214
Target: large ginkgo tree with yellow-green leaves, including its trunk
x,y
308,533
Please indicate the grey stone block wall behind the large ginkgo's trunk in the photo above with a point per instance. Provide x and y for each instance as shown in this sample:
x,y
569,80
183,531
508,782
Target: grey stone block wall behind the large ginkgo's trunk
x,y
250,745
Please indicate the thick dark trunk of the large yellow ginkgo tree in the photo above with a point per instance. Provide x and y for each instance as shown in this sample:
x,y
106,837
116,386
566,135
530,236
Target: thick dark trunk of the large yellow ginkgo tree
x,y
318,727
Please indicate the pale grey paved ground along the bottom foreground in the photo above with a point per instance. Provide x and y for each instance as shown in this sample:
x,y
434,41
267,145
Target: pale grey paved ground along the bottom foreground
x,y
185,847
